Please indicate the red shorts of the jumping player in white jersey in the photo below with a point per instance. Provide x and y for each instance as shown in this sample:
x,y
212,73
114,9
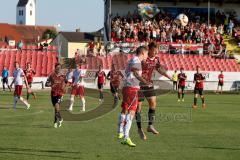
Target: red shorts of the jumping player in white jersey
x,y
130,98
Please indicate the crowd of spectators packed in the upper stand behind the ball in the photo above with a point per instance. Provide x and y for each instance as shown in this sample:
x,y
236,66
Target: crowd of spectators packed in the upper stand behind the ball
x,y
162,28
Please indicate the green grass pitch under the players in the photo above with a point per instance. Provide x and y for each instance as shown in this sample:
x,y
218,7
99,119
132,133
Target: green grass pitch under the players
x,y
184,133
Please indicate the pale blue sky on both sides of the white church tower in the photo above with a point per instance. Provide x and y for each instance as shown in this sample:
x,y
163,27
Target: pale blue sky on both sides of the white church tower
x,y
70,14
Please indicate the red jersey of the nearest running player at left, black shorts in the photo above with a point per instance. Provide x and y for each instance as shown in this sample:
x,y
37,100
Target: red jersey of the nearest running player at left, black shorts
x,y
57,84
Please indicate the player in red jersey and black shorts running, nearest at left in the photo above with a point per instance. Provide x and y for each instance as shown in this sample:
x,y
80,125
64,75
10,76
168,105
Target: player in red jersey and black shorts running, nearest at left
x,y
56,81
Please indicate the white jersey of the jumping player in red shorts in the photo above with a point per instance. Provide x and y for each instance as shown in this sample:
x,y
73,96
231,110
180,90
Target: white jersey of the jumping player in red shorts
x,y
131,80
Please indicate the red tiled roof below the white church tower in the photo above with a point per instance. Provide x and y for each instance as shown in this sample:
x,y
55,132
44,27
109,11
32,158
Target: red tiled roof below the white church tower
x,y
28,34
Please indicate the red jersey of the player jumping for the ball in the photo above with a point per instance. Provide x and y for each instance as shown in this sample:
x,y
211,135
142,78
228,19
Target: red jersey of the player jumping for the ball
x,y
148,67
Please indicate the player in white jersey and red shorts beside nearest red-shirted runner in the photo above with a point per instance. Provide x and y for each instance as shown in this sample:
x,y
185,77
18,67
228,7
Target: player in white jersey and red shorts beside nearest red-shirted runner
x,y
77,87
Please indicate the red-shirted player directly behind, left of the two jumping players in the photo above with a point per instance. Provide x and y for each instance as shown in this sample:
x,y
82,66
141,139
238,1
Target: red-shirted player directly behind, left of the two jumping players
x,y
115,78
